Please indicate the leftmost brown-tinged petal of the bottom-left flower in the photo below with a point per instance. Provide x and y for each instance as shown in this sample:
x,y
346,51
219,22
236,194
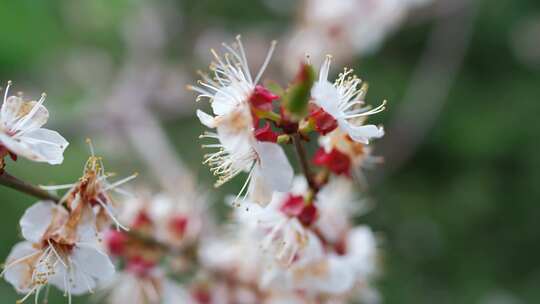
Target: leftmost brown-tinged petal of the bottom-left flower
x,y
20,275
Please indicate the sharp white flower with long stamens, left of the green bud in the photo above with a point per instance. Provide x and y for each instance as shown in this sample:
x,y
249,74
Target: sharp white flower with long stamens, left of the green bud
x,y
238,149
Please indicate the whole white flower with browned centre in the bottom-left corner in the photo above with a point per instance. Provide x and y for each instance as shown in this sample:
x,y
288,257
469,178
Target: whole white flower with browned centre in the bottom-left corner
x,y
58,249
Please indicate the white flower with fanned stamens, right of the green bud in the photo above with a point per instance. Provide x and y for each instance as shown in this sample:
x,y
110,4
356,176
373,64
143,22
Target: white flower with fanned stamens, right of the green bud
x,y
343,100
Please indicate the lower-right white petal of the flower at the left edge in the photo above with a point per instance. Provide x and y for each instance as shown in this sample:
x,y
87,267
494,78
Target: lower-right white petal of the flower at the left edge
x,y
48,144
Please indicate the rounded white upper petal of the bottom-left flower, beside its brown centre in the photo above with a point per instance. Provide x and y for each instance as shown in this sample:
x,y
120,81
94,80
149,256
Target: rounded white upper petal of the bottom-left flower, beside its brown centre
x,y
37,219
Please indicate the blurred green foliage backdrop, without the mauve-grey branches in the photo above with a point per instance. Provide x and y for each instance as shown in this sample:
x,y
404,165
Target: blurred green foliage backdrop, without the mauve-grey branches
x,y
460,218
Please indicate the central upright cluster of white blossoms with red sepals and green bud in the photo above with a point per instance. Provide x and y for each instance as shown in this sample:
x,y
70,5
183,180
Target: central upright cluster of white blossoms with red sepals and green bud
x,y
293,240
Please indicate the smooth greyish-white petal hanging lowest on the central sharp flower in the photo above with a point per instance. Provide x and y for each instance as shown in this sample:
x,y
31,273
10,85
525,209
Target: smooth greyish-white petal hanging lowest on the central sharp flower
x,y
274,165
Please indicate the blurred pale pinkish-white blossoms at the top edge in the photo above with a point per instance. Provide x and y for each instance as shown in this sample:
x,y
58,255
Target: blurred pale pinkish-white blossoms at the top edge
x,y
346,27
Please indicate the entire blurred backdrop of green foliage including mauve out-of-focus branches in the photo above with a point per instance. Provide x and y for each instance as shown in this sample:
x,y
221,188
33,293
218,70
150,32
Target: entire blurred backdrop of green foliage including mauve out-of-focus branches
x,y
456,202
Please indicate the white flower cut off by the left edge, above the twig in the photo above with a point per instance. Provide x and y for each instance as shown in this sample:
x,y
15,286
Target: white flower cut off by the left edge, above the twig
x,y
21,131
